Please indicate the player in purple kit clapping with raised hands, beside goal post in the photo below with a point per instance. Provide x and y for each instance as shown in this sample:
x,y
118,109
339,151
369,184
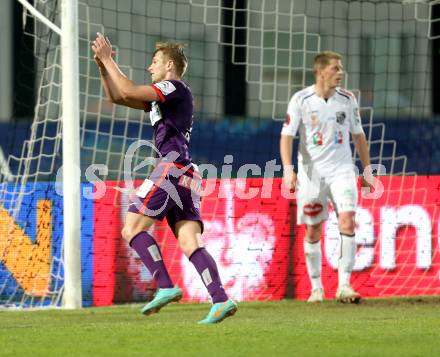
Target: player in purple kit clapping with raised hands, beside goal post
x,y
170,103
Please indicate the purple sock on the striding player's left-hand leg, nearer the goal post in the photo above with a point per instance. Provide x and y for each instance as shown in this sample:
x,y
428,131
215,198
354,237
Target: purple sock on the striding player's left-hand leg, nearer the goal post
x,y
149,252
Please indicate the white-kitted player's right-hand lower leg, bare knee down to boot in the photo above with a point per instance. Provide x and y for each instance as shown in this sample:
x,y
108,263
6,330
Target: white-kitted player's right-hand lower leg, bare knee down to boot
x,y
345,292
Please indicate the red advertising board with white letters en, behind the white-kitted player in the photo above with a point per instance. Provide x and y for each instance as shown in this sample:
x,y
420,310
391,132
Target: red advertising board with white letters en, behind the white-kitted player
x,y
397,236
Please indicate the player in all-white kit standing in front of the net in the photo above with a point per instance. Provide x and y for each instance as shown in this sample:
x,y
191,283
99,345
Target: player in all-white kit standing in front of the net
x,y
325,114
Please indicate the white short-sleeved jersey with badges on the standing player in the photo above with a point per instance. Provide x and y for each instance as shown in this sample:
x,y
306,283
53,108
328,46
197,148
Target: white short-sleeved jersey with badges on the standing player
x,y
324,128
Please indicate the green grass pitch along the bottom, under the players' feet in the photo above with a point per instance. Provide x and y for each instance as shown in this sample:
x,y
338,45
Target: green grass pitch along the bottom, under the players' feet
x,y
393,327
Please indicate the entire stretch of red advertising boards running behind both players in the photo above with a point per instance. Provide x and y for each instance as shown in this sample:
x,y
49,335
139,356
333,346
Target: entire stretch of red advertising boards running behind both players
x,y
259,250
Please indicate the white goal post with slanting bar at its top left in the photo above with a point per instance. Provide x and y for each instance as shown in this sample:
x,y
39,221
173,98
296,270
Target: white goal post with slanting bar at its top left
x,y
72,296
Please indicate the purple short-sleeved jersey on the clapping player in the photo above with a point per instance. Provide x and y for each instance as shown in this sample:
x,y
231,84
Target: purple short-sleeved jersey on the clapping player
x,y
172,119
